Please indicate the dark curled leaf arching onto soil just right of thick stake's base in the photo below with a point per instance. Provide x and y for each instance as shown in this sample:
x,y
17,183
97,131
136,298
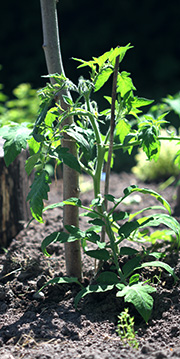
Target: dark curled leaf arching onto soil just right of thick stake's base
x,y
93,288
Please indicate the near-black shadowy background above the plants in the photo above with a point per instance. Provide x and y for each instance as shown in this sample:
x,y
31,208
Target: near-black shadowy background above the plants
x,y
89,30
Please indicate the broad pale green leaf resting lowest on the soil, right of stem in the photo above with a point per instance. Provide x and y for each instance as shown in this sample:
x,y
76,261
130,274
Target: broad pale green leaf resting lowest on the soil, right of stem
x,y
138,295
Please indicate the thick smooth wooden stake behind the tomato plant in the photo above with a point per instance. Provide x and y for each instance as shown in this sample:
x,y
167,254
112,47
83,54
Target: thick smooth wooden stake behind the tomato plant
x,y
52,50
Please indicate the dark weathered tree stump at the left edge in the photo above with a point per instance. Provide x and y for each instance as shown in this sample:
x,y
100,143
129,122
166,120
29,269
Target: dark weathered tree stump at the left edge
x,y
14,187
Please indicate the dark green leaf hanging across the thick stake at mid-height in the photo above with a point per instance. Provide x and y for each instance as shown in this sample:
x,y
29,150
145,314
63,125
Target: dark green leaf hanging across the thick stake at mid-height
x,y
67,157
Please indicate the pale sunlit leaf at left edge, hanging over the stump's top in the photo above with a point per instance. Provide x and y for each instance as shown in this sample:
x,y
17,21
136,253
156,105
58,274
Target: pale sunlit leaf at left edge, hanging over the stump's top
x,y
16,140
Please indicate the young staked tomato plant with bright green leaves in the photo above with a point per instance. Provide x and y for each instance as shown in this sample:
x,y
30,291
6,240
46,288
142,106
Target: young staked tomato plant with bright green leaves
x,y
98,135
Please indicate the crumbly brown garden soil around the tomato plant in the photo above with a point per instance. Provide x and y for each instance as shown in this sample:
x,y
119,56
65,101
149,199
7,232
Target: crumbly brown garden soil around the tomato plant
x,y
50,327
